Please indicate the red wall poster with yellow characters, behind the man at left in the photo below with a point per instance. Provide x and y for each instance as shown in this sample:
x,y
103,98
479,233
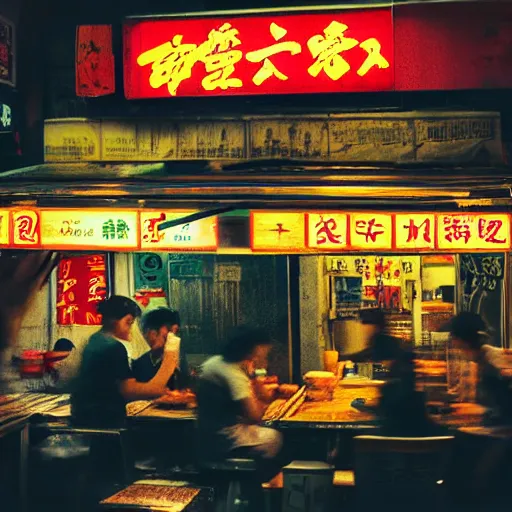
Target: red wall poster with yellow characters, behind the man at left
x,y
81,285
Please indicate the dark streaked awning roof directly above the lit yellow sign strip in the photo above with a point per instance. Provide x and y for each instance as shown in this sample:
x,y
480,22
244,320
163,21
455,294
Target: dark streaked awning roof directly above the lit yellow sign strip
x,y
257,184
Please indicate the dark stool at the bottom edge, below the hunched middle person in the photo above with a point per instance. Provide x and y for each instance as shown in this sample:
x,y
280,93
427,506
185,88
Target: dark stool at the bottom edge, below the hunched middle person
x,y
236,488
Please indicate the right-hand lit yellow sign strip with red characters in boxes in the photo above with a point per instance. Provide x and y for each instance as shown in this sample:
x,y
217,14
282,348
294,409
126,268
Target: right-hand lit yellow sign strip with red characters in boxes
x,y
356,231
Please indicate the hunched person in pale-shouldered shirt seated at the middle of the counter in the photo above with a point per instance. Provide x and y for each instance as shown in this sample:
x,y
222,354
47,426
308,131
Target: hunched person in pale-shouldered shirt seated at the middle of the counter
x,y
229,407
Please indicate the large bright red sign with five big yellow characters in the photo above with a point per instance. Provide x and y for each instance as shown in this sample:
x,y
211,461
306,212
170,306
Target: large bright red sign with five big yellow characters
x,y
340,51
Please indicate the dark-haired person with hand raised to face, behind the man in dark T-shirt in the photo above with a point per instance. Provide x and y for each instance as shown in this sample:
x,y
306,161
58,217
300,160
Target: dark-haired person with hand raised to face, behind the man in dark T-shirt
x,y
157,325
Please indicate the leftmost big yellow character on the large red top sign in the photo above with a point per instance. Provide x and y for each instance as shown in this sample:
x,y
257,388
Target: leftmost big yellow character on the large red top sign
x,y
172,62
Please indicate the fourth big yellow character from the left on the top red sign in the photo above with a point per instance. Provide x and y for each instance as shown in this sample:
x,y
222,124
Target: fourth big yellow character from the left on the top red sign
x,y
327,50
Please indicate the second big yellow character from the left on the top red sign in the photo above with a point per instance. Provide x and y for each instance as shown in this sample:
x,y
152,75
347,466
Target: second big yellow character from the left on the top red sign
x,y
219,58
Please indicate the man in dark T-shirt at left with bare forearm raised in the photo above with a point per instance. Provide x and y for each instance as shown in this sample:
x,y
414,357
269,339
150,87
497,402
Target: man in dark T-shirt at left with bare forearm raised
x,y
105,381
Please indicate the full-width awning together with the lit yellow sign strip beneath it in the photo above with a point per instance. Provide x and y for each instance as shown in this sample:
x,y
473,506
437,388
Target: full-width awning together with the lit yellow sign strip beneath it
x,y
300,208
